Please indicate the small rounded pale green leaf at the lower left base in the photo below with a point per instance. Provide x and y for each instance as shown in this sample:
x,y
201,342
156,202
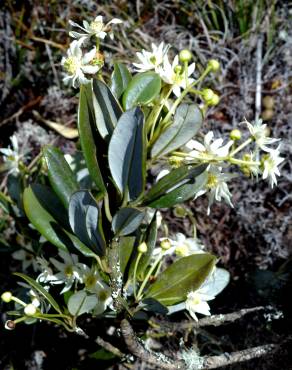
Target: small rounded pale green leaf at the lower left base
x,y
80,303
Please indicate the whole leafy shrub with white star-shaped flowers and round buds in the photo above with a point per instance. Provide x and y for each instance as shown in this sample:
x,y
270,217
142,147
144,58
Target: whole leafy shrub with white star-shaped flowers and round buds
x,y
112,240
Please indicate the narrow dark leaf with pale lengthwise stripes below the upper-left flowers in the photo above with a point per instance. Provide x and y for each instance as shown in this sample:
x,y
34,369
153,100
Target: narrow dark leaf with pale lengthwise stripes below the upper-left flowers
x,y
107,110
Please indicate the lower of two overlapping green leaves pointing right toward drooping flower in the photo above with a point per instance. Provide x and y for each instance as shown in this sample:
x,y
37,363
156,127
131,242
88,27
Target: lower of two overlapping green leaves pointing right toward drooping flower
x,y
181,193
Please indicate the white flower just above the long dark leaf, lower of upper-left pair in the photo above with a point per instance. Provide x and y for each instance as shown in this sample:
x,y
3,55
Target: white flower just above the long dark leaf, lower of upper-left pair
x,y
77,65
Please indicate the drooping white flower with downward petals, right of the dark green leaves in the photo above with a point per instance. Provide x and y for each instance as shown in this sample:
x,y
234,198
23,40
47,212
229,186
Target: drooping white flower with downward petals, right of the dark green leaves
x,y
216,187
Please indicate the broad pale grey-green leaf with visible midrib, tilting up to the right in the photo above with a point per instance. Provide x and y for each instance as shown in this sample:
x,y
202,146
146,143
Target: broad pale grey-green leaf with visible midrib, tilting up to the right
x,y
187,121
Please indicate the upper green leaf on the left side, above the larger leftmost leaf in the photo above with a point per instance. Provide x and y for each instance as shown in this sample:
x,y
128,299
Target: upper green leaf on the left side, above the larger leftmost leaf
x,y
61,177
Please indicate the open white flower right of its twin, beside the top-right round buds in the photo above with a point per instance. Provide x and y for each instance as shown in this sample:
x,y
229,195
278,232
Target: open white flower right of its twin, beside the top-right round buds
x,y
173,74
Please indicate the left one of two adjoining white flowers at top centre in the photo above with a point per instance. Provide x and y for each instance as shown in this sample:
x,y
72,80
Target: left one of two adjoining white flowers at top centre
x,y
151,59
